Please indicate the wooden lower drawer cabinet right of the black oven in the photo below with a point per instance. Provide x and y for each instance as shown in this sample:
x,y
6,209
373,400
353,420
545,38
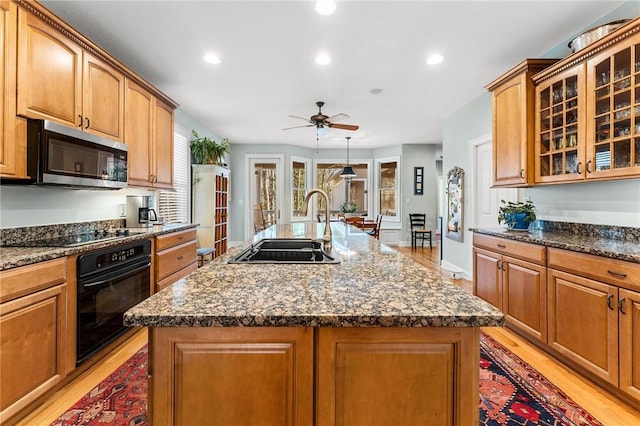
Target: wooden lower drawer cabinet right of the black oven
x,y
175,257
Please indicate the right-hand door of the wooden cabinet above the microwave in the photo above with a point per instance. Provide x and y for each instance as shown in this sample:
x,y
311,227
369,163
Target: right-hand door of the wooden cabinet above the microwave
x,y
103,99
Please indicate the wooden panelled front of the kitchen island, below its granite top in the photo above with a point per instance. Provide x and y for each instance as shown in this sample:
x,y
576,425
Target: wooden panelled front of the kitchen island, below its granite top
x,y
303,376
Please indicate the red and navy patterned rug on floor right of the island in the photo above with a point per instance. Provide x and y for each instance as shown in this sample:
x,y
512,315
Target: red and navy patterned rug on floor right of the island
x,y
512,393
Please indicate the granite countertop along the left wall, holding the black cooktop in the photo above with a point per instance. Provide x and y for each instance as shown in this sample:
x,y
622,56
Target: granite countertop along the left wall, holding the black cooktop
x,y
12,257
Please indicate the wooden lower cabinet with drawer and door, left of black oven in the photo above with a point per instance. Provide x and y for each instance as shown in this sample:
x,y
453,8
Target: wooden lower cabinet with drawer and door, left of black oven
x,y
33,345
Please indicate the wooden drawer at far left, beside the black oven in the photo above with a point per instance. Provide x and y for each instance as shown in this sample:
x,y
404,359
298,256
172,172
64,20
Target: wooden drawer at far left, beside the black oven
x,y
27,279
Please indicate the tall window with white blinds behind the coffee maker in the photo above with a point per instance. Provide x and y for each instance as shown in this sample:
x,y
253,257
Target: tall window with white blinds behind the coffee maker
x,y
173,206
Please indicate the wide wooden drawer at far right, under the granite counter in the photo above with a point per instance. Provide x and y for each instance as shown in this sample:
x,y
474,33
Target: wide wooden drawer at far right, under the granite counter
x,y
612,271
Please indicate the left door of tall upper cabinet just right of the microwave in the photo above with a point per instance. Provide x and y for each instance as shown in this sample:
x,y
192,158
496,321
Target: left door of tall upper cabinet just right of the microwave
x,y
139,107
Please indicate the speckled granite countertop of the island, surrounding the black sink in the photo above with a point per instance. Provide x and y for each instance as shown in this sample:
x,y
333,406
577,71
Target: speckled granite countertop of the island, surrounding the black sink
x,y
373,286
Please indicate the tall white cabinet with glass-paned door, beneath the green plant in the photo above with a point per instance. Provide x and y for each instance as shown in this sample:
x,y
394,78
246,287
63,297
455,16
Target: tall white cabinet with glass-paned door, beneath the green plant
x,y
210,205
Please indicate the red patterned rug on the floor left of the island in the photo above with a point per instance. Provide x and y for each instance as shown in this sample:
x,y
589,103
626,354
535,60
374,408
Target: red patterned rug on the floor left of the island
x,y
120,399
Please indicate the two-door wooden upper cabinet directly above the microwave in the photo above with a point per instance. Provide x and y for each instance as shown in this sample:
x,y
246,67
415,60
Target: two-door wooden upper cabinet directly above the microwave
x,y
59,81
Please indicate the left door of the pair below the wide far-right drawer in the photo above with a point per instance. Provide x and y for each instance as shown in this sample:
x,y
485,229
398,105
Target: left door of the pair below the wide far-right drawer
x,y
583,323
